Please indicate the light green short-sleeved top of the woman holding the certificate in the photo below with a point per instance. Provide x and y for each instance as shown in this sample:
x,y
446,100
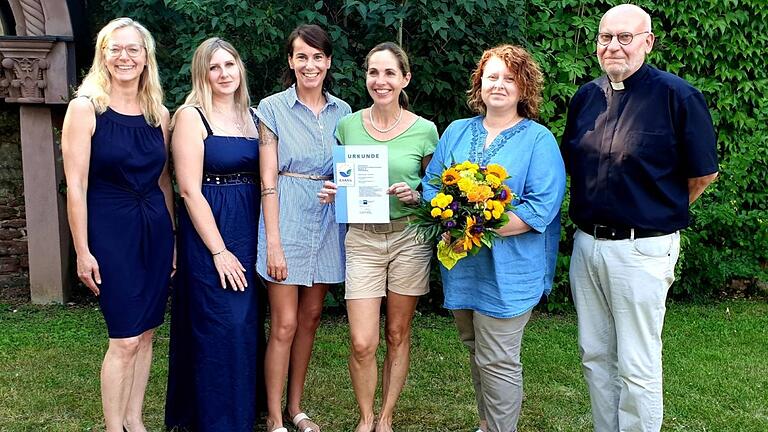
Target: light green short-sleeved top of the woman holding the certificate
x,y
405,151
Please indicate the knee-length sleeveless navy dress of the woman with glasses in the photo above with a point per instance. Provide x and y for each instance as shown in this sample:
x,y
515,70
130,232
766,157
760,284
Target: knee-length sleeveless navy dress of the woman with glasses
x,y
129,228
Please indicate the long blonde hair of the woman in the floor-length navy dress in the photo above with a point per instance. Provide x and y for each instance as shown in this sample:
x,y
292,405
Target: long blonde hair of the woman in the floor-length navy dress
x,y
201,94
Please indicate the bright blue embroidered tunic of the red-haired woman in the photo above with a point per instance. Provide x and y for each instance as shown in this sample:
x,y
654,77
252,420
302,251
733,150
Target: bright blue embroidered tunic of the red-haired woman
x,y
509,279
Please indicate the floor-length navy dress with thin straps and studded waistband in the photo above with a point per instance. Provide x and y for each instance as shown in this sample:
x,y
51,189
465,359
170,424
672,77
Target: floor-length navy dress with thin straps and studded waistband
x,y
215,376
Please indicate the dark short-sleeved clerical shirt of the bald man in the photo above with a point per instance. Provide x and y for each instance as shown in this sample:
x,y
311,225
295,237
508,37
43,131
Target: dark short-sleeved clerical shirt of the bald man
x,y
630,152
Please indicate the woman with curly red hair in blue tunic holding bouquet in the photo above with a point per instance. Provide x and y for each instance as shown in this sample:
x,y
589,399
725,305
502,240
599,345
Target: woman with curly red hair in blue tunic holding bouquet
x,y
493,292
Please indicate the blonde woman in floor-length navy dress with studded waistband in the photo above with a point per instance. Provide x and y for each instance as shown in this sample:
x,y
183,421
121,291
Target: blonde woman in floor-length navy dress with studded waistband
x,y
215,378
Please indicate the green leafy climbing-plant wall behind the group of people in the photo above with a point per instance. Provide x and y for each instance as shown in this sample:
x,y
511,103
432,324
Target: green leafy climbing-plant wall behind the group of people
x,y
717,45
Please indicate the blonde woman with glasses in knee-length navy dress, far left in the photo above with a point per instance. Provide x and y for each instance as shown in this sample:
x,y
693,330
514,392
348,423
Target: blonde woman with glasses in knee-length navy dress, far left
x,y
119,202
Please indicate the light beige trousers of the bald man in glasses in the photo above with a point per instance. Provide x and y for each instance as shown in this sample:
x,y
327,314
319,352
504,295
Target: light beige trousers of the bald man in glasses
x,y
619,289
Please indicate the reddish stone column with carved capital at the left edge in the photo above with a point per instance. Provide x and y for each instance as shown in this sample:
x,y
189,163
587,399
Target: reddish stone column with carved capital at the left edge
x,y
35,74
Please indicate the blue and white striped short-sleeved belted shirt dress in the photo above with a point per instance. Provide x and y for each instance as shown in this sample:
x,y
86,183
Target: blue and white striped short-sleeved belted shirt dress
x,y
312,241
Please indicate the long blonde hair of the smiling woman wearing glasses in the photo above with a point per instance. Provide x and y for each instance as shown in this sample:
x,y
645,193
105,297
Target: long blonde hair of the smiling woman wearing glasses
x,y
97,84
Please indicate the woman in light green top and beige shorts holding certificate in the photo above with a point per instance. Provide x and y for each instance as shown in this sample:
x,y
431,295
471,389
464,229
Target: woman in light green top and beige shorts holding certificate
x,y
385,260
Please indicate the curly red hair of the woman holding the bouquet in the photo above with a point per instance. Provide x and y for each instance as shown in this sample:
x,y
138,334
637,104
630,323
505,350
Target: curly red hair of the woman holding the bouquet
x,y
528,78
